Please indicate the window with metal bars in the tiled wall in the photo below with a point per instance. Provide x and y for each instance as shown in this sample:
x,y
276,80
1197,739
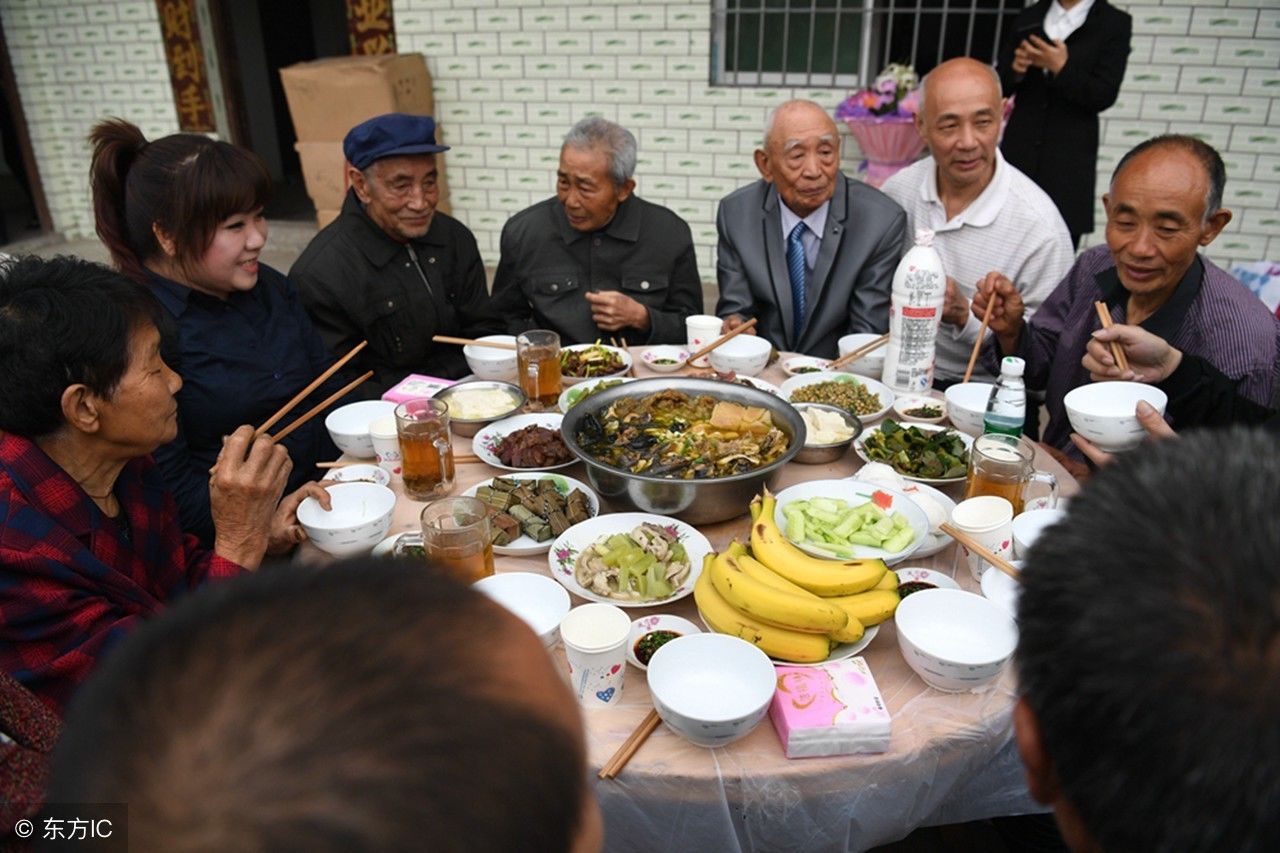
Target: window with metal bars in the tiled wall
x,y
845,43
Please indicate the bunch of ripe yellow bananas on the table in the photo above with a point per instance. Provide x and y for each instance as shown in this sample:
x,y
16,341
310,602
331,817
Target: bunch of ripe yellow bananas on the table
x,y
793,606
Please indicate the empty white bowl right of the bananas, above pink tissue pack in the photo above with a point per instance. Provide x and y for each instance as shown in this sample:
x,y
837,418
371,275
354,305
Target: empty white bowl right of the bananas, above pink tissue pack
x,y
958,642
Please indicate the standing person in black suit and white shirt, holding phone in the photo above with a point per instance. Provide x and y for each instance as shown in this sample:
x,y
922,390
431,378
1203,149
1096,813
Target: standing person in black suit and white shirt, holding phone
x,y
1064,61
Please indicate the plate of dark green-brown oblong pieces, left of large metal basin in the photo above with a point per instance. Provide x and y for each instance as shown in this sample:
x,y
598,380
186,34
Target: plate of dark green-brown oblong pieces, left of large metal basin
x,y
531,510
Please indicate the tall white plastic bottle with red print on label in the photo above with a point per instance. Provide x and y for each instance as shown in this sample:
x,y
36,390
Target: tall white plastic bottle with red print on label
x,y
920,289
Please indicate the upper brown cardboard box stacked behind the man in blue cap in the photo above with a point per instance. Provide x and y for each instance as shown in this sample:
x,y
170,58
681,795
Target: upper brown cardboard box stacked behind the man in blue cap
x,y
330,97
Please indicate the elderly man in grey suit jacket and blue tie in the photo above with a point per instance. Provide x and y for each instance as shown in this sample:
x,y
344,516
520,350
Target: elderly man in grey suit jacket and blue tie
x,y
836,271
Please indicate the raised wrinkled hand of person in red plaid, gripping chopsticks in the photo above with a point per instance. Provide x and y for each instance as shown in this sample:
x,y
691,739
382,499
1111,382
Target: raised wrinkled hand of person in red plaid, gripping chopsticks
x,y
244,491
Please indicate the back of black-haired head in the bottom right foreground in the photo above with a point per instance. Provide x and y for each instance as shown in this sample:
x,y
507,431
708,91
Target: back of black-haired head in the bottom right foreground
x,y
1150,651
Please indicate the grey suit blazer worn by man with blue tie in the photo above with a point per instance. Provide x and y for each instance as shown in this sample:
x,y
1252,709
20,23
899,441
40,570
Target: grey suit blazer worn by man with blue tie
x,y
852,280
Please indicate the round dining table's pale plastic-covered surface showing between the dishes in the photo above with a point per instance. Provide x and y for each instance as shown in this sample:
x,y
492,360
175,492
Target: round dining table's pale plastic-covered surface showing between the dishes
x,y
952,758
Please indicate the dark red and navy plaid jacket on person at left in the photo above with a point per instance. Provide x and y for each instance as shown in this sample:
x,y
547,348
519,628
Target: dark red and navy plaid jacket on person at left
x,y
71,582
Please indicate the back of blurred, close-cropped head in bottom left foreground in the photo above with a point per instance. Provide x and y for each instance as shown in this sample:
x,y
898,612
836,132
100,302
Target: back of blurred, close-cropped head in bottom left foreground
x,y
369,705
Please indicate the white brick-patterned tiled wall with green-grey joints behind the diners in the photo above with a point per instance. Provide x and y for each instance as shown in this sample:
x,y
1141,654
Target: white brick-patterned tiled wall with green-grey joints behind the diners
x,y
511,76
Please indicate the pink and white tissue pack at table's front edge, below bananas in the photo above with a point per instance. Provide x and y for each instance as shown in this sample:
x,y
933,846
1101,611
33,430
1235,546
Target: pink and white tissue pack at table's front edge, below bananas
x,y
830,710
